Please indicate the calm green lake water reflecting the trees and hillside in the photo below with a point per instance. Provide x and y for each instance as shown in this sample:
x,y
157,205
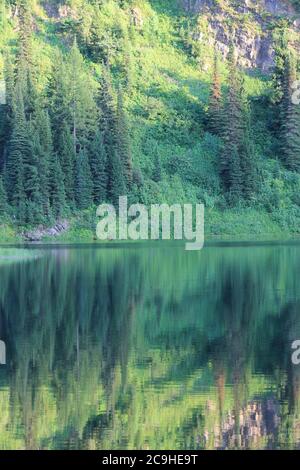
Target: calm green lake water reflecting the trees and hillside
x,y
150,347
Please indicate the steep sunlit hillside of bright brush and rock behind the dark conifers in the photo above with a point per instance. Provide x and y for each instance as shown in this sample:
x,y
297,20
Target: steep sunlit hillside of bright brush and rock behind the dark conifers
x,y
162,55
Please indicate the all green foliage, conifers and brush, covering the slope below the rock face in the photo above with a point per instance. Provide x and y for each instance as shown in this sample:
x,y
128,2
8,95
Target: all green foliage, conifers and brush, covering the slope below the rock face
x,y
130,92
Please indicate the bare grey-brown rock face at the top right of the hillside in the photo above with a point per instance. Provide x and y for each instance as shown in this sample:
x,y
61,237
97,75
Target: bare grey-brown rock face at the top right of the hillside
x,y
246,23
